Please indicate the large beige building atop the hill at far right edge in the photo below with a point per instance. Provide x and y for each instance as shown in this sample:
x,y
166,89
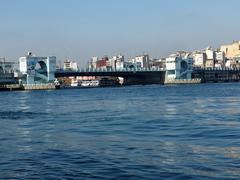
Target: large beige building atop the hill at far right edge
x,y
231,50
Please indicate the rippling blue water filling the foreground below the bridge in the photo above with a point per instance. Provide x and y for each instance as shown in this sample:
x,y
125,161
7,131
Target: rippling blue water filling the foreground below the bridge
x,y
135,132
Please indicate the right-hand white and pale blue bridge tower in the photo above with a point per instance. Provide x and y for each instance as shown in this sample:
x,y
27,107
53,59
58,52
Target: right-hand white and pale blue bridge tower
x,y
178,67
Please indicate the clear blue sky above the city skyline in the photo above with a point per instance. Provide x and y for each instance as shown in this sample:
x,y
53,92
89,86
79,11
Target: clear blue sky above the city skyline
x,y
80,29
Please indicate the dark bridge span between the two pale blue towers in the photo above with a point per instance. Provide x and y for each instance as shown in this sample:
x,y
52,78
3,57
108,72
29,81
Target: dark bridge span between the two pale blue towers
x,y
130,75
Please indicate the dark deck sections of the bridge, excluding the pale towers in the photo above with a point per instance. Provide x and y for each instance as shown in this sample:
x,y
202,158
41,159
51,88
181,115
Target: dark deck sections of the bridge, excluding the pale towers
x,y
155,75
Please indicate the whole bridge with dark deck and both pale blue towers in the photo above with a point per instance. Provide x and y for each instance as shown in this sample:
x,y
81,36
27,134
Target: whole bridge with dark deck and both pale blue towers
x,y
42,70
